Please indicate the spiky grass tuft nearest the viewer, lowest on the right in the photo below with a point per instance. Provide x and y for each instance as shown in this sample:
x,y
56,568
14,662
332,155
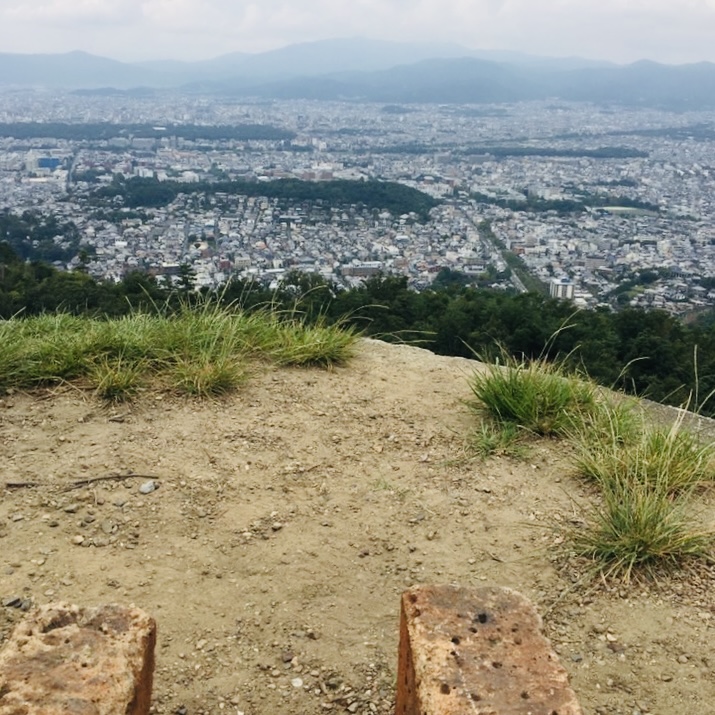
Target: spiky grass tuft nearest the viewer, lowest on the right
x,y
641,528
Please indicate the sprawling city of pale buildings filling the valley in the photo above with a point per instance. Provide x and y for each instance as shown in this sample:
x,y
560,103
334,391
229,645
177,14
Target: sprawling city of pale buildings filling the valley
x,y
598,204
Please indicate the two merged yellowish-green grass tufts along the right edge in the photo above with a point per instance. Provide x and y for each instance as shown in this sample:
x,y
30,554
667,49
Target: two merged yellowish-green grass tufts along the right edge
x,y
648,477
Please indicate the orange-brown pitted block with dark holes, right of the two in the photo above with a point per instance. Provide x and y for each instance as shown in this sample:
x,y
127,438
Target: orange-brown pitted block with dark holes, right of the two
x,y
478,652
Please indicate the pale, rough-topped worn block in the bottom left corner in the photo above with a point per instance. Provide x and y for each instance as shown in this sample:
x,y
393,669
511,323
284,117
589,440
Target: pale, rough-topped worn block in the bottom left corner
x,y
65,660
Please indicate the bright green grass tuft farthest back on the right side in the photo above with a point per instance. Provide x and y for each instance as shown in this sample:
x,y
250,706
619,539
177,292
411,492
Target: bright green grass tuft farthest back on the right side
x,y
539,396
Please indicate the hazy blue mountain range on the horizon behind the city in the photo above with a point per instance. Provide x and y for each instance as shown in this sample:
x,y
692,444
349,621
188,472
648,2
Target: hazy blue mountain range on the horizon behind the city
x,y
377,71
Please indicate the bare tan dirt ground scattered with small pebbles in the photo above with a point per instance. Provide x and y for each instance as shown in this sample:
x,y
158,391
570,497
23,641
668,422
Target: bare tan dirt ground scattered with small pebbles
x,y
289,518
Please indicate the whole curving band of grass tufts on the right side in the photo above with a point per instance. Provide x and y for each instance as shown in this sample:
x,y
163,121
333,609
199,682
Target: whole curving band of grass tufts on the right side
x,y
647,474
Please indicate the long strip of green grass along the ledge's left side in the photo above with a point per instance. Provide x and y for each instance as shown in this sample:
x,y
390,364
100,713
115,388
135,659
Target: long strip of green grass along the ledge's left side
x,y
200,350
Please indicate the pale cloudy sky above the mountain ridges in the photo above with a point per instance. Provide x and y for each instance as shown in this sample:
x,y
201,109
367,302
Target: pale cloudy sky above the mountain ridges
x,y
620,30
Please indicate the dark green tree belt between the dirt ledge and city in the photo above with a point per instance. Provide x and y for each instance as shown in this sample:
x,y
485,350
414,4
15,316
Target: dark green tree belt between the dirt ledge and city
x,y
648,353
